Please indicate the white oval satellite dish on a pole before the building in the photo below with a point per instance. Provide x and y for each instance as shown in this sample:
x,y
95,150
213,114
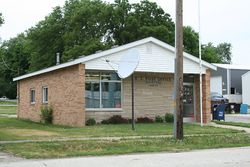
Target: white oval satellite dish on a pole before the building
x,y
128,63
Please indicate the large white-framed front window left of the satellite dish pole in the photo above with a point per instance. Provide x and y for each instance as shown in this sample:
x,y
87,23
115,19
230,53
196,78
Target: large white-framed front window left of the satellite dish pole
x,y
103,90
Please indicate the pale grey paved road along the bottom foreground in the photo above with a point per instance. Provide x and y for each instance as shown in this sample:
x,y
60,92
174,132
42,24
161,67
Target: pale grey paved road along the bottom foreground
x,y
232,157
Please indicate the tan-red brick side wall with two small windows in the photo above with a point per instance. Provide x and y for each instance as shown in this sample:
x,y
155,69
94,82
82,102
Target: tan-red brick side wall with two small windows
x,y
66,89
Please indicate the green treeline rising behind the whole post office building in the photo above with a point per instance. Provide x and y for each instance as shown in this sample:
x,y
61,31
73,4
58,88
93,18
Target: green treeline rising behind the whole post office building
x,y
82,27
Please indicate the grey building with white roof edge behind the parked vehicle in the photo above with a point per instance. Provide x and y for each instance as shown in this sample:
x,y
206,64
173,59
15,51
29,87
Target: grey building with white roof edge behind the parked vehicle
x,y
227,81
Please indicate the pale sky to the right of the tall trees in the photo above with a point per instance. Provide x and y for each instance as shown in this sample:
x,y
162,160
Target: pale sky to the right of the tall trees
x,y
221,21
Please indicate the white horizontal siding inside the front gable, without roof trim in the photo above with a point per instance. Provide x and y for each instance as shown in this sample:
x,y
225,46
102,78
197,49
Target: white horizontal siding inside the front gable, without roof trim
x,y
153,58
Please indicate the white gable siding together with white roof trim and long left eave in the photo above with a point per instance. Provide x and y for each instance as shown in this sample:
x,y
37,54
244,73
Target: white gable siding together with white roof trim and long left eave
x,y
156,56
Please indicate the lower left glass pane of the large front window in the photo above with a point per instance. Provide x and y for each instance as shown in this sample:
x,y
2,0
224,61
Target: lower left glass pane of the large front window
x,y
92,94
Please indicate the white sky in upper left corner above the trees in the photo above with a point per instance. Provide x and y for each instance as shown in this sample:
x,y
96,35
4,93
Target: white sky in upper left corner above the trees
x,y
21,15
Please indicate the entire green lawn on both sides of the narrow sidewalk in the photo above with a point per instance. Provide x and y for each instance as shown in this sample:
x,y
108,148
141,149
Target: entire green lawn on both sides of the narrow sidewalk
x,y
14,129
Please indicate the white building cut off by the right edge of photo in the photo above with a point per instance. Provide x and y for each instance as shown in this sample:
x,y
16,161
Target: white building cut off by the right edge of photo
x,y
246,88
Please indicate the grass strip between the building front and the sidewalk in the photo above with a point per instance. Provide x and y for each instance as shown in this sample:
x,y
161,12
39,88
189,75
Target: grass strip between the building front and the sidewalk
x,y
14,129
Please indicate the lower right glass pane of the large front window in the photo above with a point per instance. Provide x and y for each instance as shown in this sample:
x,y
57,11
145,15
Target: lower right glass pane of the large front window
x,y
111,95
